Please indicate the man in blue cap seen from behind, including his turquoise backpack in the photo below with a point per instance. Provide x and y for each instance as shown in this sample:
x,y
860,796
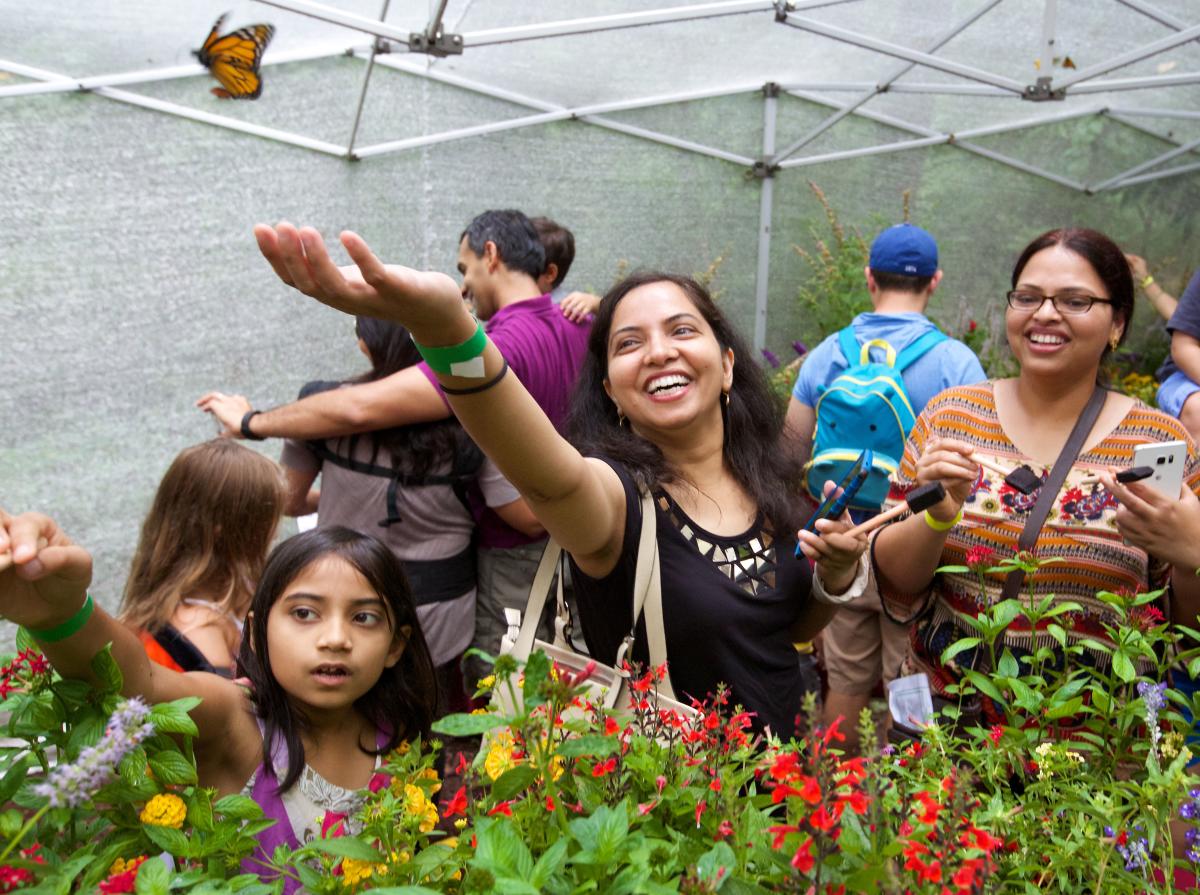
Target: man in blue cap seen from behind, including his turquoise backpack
x,y
842,405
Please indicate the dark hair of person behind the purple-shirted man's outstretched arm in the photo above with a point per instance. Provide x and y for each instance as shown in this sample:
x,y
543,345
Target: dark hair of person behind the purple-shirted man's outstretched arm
x,y
419,448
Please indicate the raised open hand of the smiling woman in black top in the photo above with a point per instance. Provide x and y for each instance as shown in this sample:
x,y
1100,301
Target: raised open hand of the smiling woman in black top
x,y
429,304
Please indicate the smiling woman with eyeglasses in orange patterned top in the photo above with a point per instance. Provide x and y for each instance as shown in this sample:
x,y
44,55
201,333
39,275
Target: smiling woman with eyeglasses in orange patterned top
x,y
1070,308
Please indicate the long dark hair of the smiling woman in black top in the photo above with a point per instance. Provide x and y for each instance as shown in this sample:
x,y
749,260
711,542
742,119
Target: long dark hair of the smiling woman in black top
x,y
754,423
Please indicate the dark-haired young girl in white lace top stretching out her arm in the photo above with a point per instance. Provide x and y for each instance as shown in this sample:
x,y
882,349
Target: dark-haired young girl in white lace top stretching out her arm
x,y
339,669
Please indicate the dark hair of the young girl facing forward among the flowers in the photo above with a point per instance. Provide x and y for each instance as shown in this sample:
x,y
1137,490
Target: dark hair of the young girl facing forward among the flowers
x,y
405,698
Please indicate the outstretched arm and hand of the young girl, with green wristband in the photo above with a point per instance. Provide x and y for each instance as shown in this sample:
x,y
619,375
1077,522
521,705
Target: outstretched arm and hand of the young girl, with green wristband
x,y
44,587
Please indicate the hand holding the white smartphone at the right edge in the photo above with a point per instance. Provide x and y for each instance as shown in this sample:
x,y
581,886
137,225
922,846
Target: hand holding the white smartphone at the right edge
x,y
1167,528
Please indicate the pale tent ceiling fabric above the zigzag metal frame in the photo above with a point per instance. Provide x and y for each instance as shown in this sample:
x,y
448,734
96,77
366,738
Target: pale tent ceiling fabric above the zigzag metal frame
x,y
917,74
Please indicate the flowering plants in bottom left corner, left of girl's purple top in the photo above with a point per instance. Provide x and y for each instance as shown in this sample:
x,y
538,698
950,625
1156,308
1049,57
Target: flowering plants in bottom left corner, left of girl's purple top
x,y
92,784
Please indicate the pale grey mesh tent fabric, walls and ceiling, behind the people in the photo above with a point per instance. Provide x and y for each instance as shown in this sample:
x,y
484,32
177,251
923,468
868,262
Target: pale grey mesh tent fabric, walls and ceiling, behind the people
x,y
131,283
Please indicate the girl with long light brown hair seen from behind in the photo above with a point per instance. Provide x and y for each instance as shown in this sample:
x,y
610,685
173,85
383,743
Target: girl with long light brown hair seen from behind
x,y
202,549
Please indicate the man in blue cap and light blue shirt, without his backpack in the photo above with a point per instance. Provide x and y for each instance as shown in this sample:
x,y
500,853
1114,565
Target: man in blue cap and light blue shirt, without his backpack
x,y
861,646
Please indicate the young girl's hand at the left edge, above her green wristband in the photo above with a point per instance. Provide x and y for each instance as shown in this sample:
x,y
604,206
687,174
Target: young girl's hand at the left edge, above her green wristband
x,y
44,576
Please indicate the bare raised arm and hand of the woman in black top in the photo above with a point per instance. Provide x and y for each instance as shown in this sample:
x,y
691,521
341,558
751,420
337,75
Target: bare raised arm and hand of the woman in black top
x,y
580,502
